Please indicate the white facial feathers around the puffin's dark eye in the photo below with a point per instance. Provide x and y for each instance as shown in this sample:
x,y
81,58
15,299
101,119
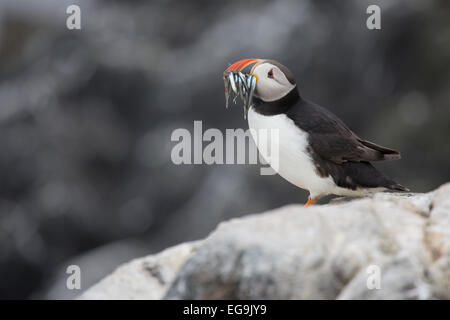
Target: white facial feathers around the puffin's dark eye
x,y
272,82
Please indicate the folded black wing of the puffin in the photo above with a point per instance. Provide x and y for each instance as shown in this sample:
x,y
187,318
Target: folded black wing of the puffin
x,y
332,140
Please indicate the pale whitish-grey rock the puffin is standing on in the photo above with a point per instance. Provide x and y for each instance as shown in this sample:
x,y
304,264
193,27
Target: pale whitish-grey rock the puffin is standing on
x,y
332,251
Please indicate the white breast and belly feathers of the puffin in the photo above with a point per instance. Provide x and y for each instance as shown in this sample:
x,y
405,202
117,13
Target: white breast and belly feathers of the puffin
x,y
294,163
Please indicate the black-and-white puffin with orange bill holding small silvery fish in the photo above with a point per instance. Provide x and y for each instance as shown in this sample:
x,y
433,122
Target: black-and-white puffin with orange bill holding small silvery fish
x,y
317,152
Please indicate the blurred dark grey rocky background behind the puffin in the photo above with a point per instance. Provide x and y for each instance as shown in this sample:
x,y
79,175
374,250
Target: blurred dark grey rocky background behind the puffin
x,y
86,118
